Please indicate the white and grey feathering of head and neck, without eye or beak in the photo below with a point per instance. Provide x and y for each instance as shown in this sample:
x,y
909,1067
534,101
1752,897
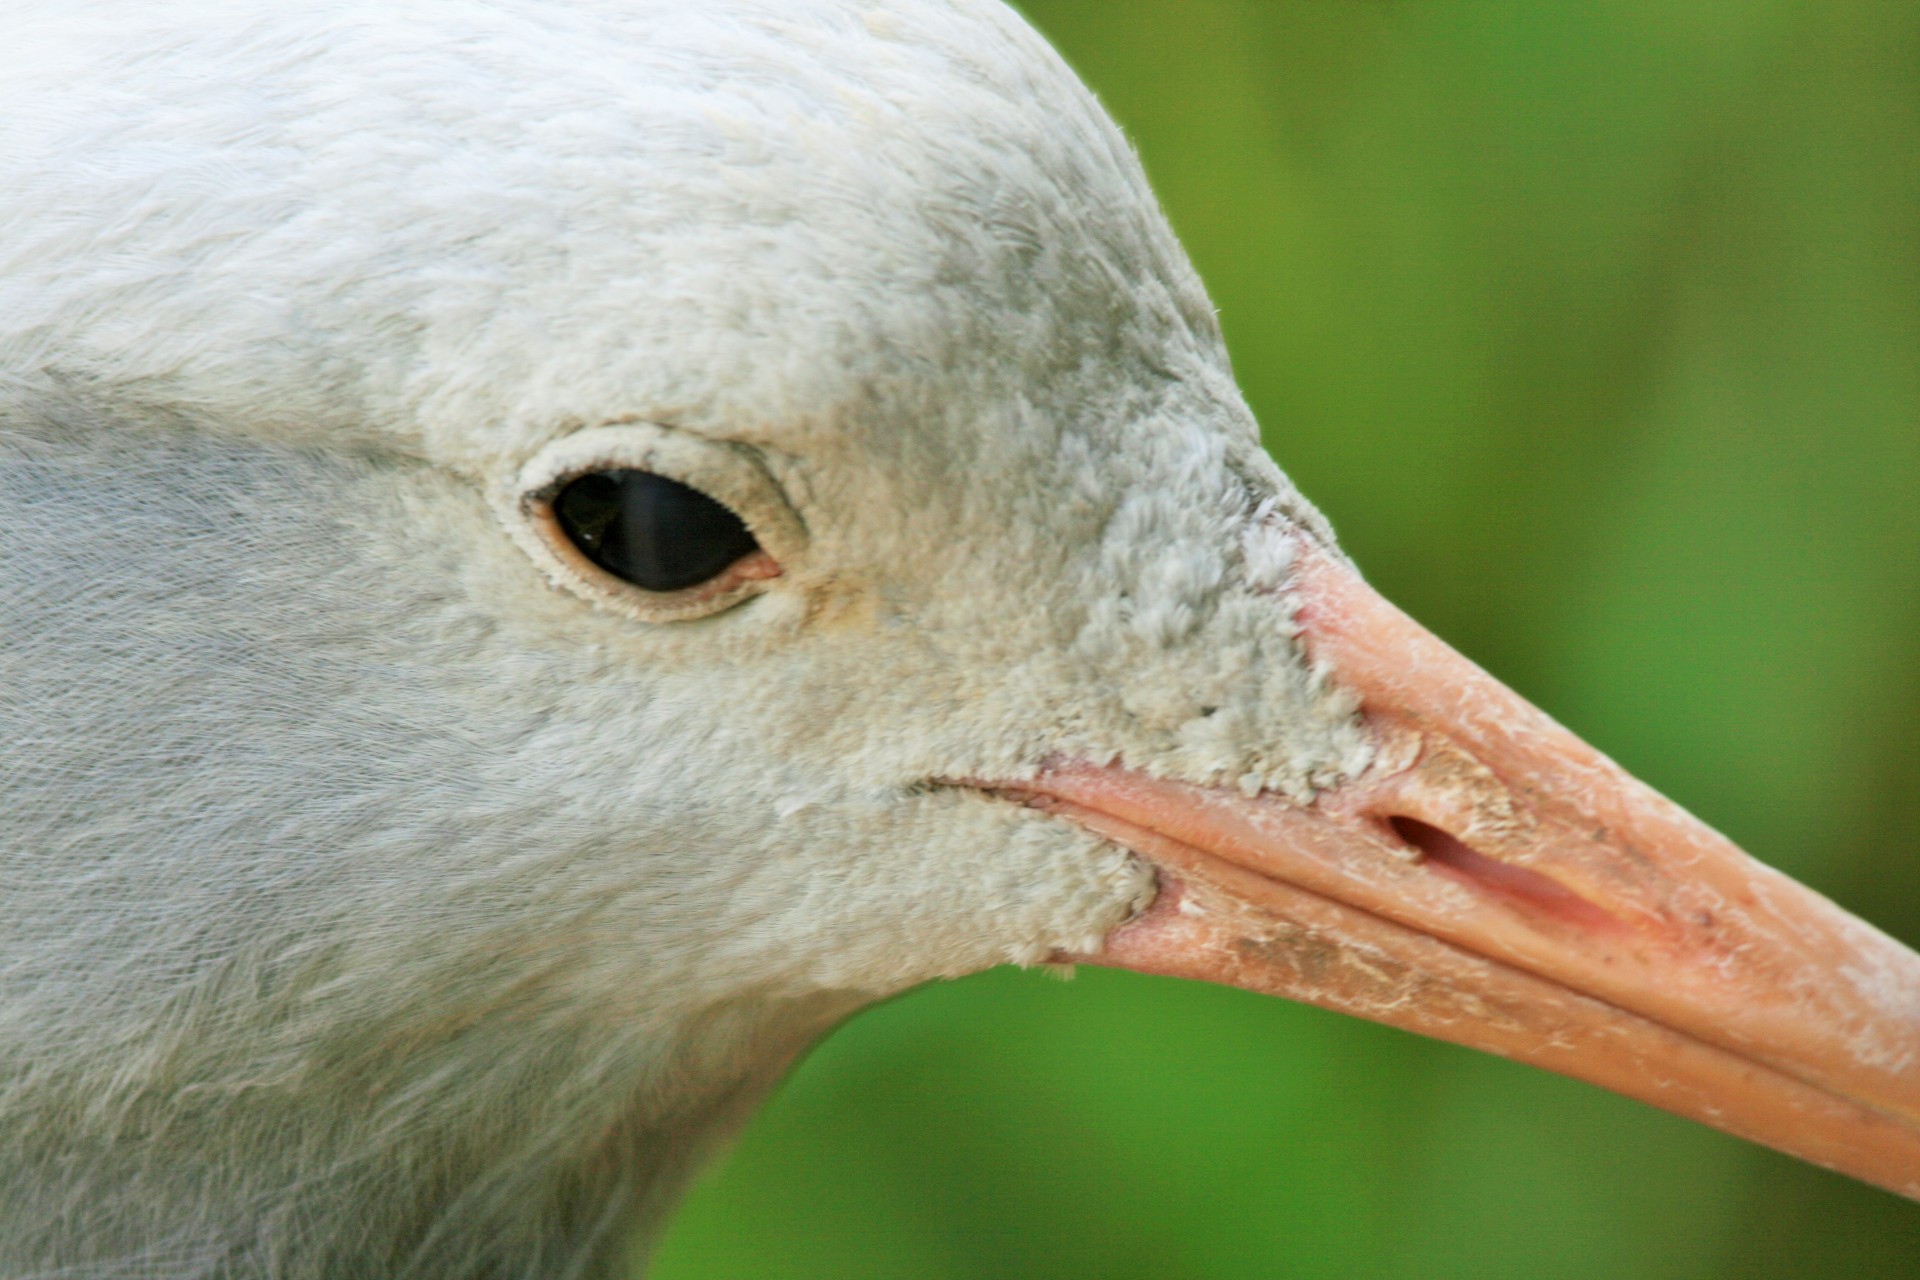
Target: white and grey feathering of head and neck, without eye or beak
x,y
383,905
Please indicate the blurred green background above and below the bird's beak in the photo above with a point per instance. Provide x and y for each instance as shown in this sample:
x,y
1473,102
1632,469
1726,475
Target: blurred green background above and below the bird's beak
x,y
1596,331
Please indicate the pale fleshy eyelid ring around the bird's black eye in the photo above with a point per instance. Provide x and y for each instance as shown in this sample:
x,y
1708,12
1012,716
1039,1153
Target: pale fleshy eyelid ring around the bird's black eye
x,y
706,477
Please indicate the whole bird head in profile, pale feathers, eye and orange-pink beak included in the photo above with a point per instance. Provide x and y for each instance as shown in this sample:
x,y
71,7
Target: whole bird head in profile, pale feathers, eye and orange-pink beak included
x,y
556,552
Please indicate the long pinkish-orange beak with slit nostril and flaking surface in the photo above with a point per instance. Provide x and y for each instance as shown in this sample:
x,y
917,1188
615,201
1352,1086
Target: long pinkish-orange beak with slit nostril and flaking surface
x,y
1495,882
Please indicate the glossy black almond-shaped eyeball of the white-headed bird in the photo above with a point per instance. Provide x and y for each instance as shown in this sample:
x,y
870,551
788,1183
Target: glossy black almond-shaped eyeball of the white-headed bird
x,y
652,531
